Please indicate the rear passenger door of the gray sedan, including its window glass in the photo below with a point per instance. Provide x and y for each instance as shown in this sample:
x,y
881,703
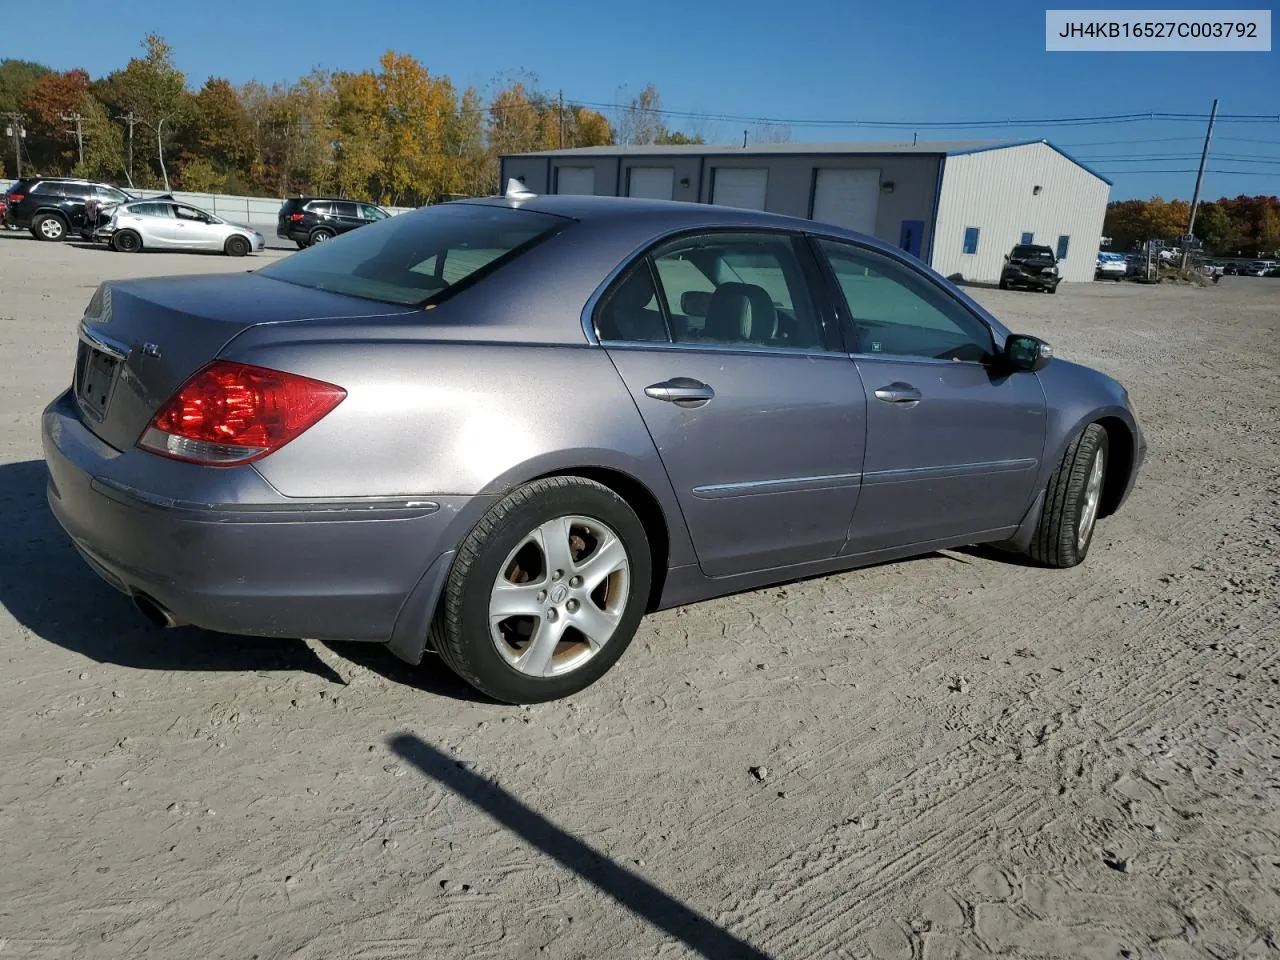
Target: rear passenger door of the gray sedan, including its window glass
x,y
756,412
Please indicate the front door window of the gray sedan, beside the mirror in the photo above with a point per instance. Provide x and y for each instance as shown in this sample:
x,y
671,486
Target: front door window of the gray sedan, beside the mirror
x,y
898,312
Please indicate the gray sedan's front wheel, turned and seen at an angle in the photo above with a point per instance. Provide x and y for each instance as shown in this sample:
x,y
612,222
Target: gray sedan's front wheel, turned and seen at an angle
x,y
1073,501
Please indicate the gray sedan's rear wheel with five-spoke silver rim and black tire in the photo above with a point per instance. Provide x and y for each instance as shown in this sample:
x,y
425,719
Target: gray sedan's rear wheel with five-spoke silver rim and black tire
x,y
546,592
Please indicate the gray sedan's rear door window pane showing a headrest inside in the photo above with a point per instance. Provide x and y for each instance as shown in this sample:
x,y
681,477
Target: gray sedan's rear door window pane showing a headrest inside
x,y
738,290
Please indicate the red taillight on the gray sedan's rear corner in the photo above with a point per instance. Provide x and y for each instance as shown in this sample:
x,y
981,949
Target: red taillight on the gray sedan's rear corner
x,y
230,414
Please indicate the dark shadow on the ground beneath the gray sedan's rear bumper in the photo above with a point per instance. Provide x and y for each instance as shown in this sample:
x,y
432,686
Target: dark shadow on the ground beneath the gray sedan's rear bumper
x,y
49,589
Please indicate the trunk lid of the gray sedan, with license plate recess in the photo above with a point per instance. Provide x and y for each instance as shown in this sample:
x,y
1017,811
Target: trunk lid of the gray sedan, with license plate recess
x,y
141,340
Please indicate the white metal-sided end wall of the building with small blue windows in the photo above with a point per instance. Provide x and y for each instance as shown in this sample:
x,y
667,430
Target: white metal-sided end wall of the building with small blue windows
x,y
994,191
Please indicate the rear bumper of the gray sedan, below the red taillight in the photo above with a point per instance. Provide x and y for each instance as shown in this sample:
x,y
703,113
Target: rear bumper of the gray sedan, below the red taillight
x,y
276,568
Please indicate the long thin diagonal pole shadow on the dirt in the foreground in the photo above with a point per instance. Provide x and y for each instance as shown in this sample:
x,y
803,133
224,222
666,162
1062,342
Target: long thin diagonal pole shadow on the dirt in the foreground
x,y
629,889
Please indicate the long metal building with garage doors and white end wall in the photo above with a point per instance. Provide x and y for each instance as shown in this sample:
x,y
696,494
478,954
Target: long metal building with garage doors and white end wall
x,y
961,207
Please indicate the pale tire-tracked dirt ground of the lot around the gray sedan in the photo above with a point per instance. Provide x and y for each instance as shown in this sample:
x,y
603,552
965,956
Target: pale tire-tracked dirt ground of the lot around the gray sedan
x,y
963,757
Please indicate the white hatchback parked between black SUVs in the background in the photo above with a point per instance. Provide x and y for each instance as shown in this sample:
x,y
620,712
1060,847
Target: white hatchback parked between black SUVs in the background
x,y
167,225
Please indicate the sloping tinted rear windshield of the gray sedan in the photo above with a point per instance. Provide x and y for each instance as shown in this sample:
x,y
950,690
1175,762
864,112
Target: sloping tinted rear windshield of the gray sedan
x,y
417,258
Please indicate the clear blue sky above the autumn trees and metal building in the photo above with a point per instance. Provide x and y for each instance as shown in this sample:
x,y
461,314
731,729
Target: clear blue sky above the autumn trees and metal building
x,y
801,61
